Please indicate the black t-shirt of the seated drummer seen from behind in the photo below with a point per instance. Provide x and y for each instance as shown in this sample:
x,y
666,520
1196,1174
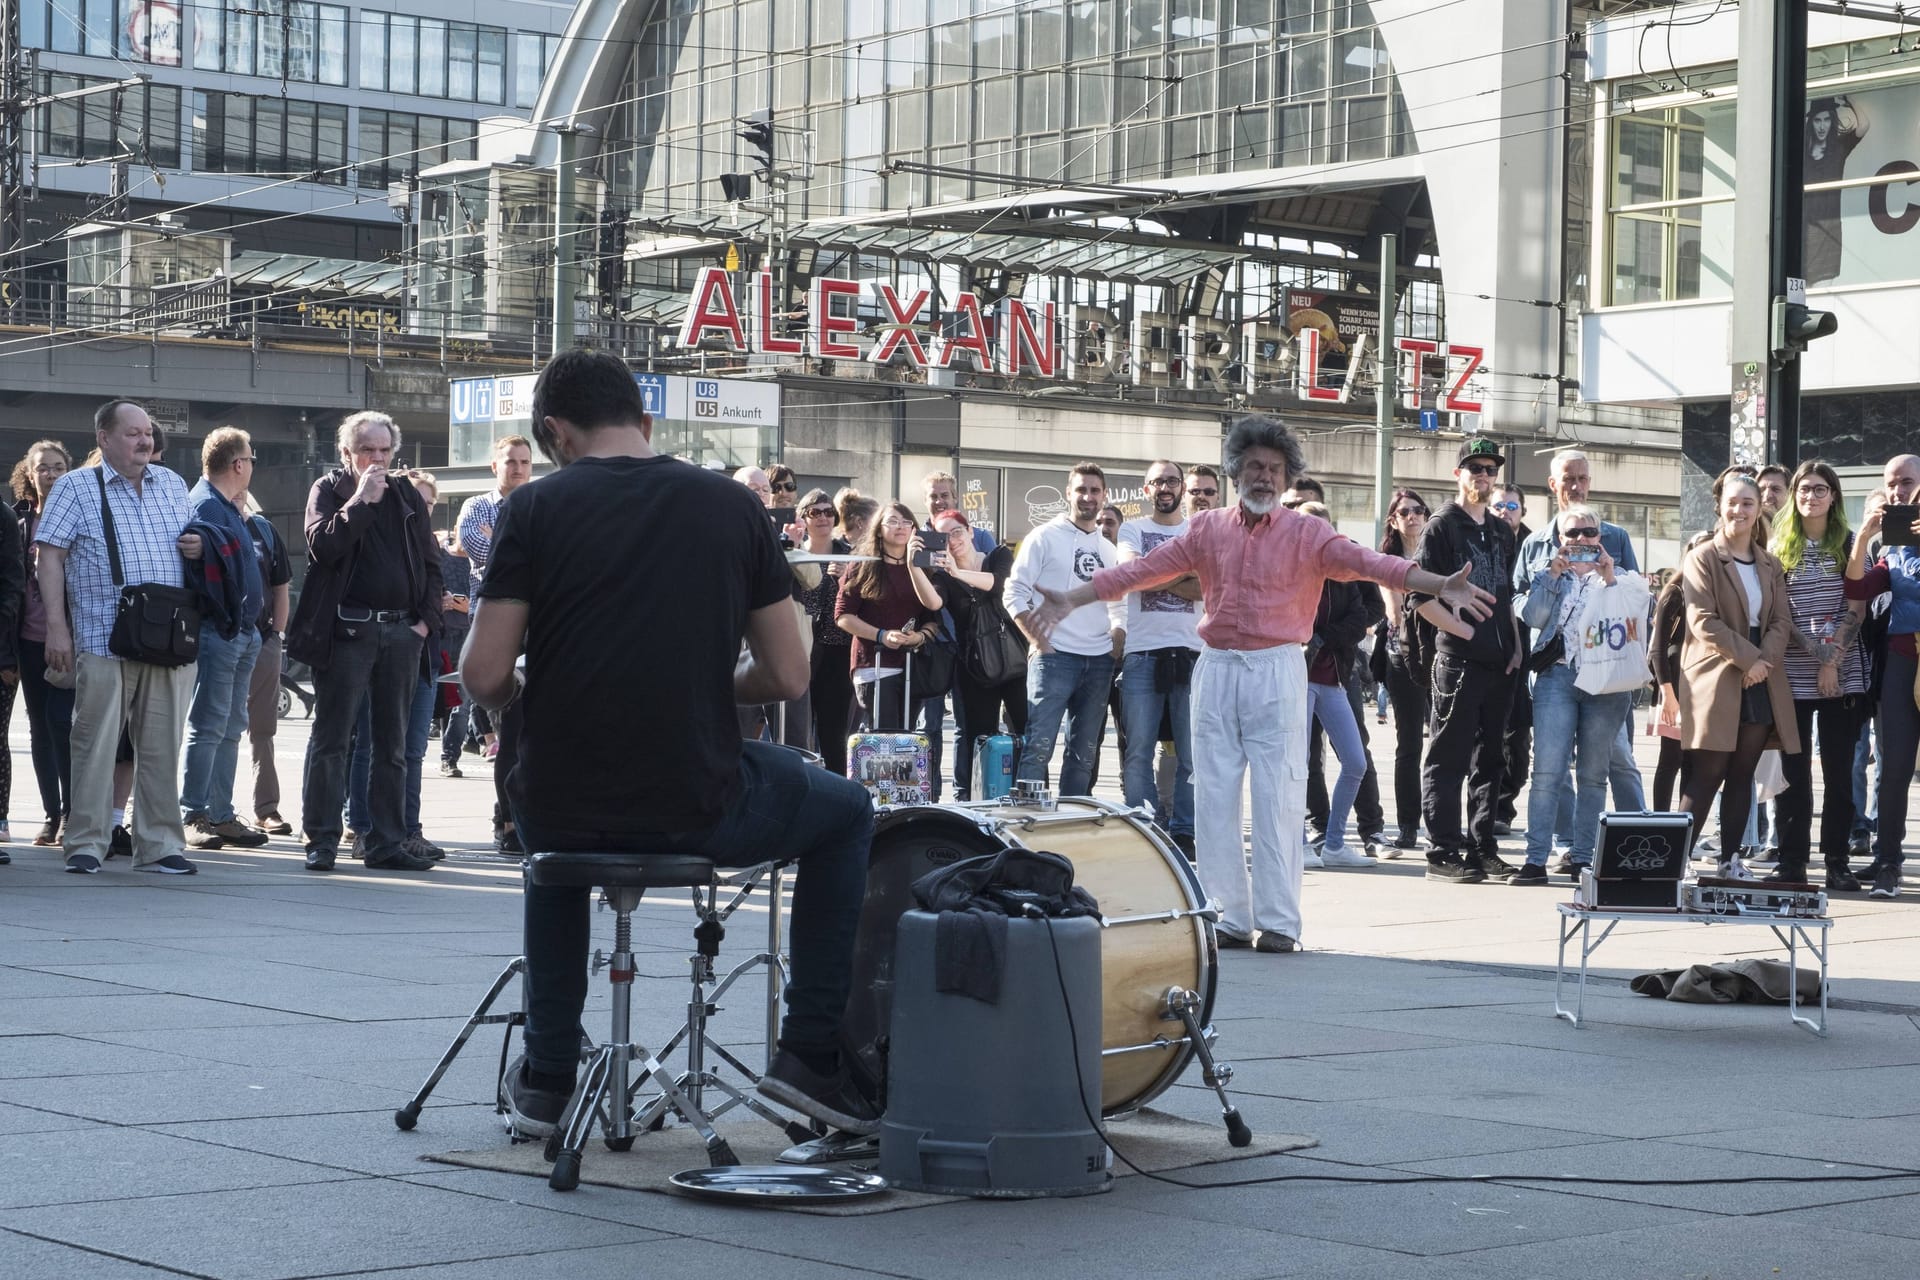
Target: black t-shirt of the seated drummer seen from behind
x,y
638,577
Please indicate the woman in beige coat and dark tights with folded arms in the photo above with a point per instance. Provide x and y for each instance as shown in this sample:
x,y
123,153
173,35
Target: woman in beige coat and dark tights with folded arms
x,y
1735,696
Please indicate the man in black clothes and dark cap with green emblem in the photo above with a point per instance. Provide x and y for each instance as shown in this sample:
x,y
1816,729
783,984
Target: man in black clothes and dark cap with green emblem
x,y
1474,673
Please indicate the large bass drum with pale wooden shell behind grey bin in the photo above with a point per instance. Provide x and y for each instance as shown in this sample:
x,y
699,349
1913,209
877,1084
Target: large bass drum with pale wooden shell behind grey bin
x,y
1157,934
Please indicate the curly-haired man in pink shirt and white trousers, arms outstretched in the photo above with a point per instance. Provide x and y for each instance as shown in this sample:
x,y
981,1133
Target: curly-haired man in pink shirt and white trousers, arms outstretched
x,y
1260,571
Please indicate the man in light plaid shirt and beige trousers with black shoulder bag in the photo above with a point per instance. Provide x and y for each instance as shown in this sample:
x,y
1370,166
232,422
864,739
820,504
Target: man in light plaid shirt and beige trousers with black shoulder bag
x,y
151,513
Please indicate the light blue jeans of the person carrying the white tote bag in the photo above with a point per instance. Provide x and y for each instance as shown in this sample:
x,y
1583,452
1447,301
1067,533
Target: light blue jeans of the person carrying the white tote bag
x,y
1566,723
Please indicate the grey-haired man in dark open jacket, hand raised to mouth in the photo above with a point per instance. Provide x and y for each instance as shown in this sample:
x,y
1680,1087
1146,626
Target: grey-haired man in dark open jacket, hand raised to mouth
x,y
372,600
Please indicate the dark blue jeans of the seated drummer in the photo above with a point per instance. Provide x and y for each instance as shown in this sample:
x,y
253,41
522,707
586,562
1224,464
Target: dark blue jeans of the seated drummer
x,y
788,809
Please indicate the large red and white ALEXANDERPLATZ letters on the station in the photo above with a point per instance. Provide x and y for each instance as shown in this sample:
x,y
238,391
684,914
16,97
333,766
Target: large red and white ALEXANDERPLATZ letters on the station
x,y
1312,356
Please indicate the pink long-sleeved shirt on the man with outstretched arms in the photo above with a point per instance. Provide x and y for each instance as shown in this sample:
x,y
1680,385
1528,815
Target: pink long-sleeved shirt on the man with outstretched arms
x,y
1260,584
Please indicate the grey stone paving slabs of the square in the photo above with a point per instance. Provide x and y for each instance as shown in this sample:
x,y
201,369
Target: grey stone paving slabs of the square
x,y
197,1079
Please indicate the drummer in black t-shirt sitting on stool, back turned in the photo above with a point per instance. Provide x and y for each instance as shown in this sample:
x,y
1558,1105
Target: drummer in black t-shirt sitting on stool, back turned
x,y
629,736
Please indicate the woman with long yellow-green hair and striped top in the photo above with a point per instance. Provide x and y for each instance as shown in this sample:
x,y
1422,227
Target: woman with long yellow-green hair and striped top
x,y
1827,671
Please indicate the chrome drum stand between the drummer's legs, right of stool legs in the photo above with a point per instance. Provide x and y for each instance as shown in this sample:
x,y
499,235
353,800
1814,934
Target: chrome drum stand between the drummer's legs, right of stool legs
x,y
704,1005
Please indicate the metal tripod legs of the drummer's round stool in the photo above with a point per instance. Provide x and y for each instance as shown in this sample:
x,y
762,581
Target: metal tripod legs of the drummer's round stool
x,y
606,1095
